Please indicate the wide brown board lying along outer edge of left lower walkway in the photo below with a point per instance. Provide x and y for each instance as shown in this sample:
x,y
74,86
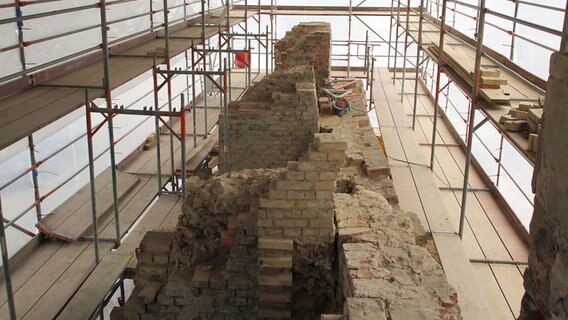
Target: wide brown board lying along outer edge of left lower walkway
x,y
80,221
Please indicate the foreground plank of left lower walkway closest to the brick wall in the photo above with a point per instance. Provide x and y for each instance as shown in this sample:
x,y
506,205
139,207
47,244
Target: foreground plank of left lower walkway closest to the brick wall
x,y
93,291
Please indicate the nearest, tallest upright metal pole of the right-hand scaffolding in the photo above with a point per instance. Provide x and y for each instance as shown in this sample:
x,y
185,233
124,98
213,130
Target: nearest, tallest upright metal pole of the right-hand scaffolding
x,y
474,101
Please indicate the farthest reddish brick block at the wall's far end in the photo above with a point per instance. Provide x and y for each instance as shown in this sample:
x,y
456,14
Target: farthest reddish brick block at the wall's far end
x,y
308,43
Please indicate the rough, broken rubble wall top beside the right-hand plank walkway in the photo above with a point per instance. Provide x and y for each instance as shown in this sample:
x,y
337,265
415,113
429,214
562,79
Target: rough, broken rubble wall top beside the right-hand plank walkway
x,y
384,270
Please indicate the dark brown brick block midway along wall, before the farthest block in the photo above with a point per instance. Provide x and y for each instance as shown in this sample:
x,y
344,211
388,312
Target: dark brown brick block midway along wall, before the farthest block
x,y
272,123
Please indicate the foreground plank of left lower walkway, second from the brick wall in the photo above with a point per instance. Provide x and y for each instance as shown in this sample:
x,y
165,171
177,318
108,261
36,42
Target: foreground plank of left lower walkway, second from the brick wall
x,y
61,290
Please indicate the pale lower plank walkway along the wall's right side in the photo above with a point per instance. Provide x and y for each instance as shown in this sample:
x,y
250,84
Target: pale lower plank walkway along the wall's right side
x,y
485,290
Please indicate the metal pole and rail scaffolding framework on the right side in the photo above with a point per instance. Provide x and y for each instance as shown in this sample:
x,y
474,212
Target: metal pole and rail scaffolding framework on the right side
x,y
444,76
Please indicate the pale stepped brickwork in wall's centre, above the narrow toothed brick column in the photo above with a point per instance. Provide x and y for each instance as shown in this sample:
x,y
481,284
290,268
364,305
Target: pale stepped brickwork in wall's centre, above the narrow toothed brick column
x,y
299,205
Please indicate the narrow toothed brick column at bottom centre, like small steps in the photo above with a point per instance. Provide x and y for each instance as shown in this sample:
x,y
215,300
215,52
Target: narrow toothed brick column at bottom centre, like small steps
x,y
274,278
